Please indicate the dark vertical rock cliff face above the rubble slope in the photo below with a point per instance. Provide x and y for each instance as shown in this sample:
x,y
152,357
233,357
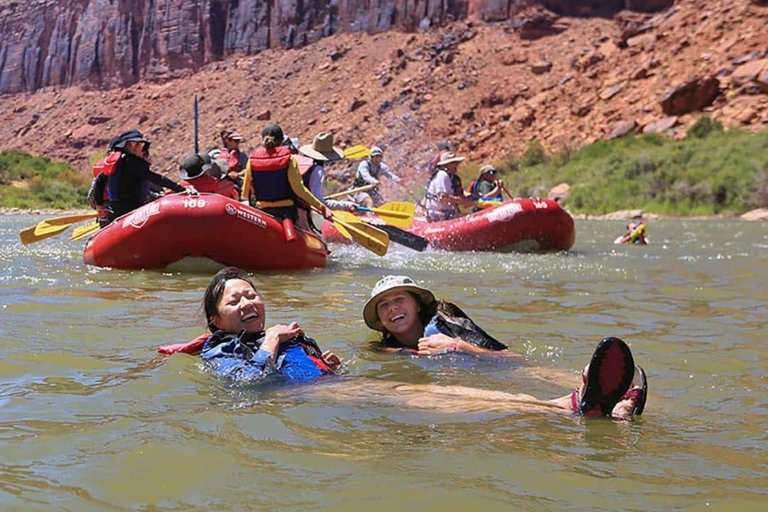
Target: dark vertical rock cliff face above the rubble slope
x,y
113,43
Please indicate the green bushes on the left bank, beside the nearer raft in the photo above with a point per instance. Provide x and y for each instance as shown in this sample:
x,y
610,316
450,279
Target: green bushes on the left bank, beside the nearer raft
x,y
35,182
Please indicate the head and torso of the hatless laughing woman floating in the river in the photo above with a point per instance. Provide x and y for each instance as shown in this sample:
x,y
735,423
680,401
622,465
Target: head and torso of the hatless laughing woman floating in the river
x,y
241,348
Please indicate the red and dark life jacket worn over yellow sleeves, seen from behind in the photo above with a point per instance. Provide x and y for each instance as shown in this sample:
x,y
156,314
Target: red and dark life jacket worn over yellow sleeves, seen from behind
x,y
269,171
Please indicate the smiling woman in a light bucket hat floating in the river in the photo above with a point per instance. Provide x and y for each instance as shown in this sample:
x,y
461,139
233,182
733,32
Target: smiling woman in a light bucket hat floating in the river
x,y
411,319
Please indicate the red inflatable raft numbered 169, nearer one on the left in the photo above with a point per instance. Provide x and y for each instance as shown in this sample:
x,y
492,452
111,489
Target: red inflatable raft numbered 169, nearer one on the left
x,y
209,225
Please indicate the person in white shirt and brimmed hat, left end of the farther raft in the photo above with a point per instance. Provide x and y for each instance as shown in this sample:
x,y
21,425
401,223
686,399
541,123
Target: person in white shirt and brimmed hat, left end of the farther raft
x,y
444,190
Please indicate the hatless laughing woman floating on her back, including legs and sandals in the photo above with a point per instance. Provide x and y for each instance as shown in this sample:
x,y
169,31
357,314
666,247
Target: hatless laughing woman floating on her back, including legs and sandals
x,y
240,349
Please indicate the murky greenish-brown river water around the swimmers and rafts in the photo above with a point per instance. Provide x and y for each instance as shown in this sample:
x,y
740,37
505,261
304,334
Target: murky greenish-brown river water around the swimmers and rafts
x,y
91,418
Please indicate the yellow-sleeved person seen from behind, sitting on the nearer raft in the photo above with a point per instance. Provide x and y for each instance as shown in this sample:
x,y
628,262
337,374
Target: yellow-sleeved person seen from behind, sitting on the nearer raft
x,y
274,181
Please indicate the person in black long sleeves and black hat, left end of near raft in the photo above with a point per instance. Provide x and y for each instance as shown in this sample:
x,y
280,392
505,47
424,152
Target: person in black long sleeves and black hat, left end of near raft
x,y
129,185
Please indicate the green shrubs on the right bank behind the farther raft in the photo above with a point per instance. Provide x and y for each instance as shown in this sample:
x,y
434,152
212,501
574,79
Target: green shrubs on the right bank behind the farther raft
x,y
710,171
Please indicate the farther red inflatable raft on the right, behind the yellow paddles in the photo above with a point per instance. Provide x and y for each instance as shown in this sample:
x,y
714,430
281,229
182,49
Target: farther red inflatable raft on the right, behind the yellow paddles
x,y
521,225
